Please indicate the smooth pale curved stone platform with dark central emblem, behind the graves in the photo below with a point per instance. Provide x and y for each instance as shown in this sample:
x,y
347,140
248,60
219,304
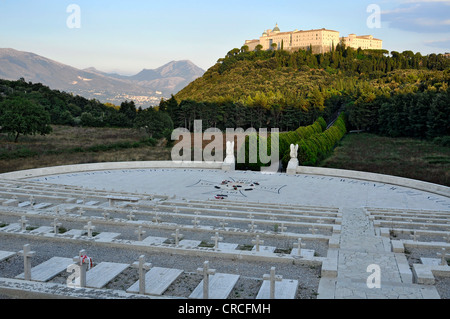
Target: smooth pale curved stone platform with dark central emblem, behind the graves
x,y
204,184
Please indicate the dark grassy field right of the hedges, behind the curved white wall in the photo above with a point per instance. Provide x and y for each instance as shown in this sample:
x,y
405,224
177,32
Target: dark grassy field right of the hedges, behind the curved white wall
x,y
403,157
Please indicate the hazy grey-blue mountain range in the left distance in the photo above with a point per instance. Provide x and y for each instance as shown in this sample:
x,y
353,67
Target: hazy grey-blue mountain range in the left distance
x,y
145,88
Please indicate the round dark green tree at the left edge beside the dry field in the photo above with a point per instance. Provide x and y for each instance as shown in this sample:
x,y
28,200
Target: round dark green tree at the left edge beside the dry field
x,y
20,116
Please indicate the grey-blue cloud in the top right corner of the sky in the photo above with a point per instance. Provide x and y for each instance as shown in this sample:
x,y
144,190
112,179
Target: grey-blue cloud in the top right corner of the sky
x,y
423,16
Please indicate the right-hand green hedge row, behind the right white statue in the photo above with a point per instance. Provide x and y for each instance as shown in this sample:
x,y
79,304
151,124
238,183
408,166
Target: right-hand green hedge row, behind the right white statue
x,y
315,148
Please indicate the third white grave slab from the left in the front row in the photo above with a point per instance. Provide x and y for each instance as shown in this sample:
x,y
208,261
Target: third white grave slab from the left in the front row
x,y
157,280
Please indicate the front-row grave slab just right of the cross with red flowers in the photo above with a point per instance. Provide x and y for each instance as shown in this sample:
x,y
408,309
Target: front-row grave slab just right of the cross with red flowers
x,y
100,275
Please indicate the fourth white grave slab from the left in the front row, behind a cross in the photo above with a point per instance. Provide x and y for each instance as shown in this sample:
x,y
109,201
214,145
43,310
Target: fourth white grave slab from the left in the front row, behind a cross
x,y
220,286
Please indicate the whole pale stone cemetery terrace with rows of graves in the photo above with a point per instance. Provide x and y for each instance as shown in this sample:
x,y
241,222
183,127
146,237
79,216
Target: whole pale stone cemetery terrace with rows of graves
x,y
358,239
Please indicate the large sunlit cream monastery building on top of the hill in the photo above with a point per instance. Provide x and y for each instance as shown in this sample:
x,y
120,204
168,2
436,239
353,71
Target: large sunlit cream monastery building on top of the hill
x,y
319,40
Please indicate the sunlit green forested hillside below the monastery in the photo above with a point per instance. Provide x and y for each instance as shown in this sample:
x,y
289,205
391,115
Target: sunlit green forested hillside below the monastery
x,y
398,94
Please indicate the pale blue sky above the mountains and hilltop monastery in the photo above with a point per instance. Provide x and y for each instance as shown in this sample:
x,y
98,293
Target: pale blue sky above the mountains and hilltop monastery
x,y
128,36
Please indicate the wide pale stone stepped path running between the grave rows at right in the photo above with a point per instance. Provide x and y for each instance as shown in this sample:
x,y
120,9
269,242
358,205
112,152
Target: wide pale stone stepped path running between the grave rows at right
x,y
366,266
